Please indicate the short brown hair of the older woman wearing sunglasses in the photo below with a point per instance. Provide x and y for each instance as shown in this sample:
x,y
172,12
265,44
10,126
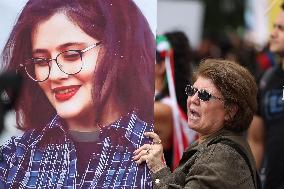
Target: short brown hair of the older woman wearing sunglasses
x,y
237,87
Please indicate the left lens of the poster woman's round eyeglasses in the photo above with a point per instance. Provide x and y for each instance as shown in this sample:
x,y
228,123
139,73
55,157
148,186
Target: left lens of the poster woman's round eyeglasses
x,y
37,69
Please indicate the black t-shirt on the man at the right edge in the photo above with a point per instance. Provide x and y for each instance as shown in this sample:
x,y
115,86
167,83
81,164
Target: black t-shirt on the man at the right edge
x,y
271,109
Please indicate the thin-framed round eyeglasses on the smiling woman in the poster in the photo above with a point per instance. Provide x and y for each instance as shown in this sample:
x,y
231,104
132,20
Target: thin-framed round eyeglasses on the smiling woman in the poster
x,y
69,62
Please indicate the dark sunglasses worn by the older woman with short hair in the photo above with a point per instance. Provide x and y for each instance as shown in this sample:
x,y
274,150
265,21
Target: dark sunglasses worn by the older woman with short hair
x,y
202,94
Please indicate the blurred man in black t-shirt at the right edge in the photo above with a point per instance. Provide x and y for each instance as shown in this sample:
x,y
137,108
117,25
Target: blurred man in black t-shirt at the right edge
x,y
266,134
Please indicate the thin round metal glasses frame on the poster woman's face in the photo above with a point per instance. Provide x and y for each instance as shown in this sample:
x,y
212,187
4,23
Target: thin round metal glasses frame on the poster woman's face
x,y
80,53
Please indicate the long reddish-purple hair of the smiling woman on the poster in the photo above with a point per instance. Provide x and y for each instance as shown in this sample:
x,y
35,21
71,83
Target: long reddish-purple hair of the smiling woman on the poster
x,y
125,68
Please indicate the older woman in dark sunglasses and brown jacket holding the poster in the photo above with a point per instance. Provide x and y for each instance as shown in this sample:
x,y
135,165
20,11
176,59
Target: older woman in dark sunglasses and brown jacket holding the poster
x,y
221,103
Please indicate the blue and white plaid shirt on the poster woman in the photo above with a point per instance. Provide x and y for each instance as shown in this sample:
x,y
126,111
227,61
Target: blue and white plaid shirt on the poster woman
x,y
47,158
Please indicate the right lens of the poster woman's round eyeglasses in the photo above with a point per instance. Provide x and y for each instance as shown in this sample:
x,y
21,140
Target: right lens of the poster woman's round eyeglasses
x,y
70,62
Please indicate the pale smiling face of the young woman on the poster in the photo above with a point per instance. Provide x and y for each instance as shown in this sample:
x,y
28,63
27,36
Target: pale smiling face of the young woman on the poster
x,y
70,95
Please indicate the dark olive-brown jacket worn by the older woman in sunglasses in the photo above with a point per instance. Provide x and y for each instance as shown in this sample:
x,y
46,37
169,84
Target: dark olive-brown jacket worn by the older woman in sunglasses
x,y
211,165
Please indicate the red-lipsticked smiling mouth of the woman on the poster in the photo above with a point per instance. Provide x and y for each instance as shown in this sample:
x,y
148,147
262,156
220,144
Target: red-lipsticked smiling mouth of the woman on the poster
x,y
64,93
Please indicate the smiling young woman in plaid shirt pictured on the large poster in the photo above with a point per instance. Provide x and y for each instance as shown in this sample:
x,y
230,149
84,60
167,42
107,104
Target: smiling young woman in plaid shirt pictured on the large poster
x,y
87,95
